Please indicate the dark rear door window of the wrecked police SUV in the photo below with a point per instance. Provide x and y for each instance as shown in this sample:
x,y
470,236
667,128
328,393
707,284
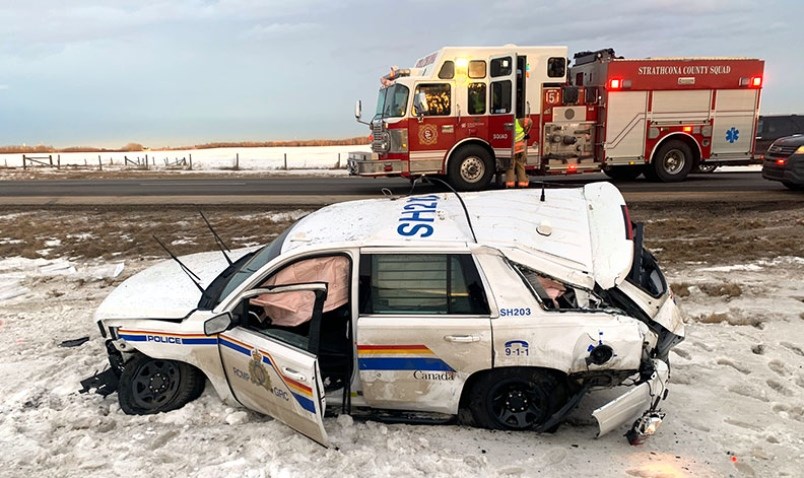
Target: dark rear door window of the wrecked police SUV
x,y
415,284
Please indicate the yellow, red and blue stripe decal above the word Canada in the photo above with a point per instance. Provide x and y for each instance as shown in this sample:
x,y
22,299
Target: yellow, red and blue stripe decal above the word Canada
x,y
399,357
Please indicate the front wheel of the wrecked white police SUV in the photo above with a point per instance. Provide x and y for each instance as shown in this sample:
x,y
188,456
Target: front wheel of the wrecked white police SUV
x,y
149,385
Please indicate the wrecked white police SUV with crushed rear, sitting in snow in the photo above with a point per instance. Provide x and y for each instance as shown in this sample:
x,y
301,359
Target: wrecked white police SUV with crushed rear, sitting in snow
x,y
502,309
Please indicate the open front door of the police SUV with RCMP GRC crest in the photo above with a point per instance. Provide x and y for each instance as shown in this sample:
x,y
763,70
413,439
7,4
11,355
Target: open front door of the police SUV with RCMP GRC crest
x,y
272,368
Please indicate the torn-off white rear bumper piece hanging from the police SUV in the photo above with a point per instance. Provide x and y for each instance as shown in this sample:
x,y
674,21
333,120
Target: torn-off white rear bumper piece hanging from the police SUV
x,y
641,399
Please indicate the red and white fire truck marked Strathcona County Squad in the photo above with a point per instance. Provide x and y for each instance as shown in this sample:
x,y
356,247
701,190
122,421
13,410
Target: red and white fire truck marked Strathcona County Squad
x,y
453,115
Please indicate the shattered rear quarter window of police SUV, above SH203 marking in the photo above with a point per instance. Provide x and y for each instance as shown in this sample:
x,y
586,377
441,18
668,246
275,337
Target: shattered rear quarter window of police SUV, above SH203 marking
x,y
556,295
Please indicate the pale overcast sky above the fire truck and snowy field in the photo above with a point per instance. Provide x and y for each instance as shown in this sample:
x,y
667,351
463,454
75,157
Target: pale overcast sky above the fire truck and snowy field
x,y
173,72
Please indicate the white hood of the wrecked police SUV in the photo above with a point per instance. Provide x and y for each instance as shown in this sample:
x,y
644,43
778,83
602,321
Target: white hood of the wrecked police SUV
x,y
162,291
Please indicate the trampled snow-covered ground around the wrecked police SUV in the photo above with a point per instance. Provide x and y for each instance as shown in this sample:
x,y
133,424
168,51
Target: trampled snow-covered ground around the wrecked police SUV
x,y
736,404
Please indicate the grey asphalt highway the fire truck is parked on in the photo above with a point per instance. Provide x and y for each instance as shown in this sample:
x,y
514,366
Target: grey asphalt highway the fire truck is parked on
x,y
322,190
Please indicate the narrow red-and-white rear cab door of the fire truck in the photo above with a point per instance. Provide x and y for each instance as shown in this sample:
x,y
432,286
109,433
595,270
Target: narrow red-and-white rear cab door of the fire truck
x,y
502,85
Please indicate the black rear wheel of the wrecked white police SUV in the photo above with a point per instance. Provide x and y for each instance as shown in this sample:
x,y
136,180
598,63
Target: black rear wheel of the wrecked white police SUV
x,y
515,399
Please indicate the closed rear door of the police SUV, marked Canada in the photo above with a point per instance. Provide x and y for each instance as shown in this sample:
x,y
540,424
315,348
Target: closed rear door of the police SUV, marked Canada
x,y
423,328
